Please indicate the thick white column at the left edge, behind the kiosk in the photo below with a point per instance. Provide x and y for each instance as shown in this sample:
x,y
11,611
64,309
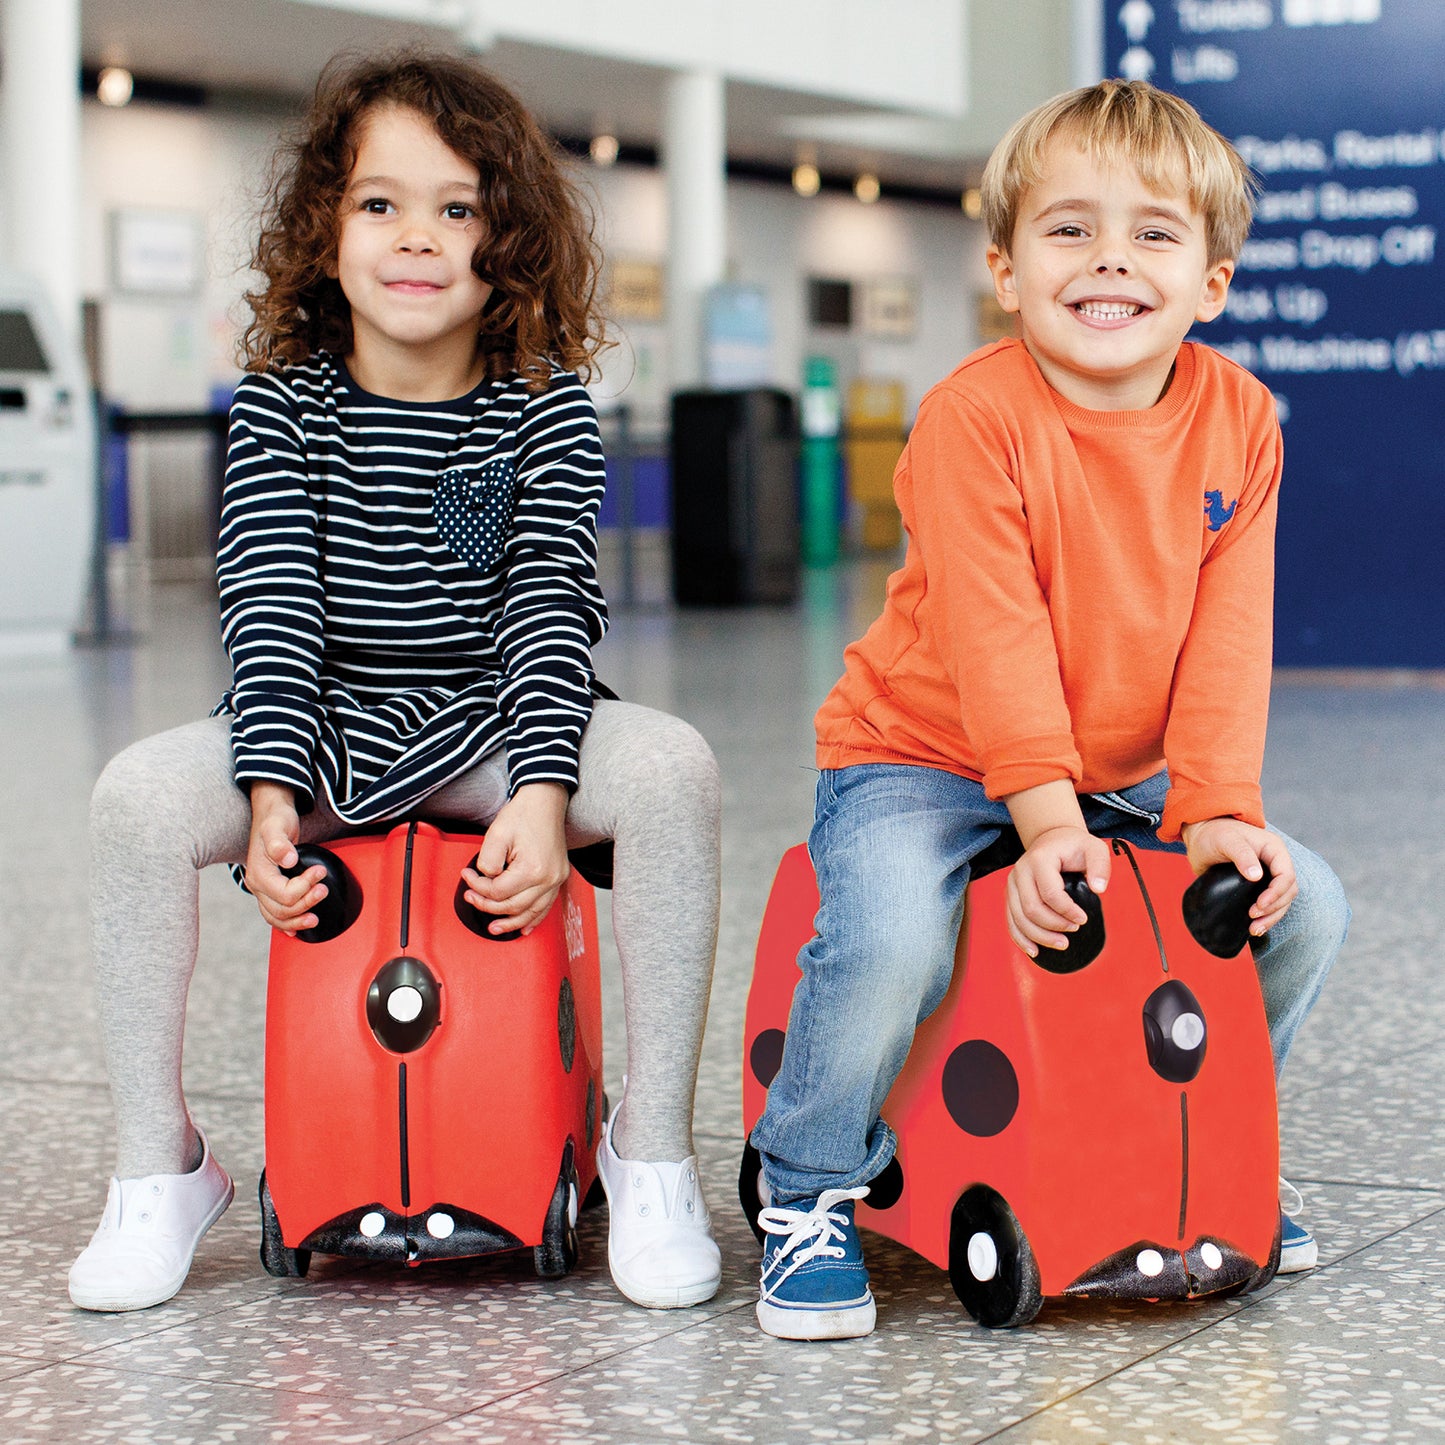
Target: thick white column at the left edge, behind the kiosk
x,y
41,170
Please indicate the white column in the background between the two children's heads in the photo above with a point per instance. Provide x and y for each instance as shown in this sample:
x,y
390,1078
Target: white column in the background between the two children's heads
x,y
694,157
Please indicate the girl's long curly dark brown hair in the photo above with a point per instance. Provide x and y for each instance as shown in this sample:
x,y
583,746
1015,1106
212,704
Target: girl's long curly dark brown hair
x,y
538,251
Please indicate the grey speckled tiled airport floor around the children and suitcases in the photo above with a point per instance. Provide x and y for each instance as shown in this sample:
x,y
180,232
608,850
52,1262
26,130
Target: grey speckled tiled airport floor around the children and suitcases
x,y
485,1352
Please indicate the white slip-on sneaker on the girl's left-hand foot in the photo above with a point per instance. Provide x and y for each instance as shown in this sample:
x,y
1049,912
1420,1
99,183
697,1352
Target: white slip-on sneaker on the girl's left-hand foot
x,y
141,1254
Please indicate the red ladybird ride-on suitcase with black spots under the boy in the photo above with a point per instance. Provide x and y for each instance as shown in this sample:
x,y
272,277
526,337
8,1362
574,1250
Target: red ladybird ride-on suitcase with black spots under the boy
x,y
1099,1123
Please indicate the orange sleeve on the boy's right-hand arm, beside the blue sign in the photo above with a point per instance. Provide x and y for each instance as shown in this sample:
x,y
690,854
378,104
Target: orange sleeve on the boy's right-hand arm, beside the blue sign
x,y
1215,739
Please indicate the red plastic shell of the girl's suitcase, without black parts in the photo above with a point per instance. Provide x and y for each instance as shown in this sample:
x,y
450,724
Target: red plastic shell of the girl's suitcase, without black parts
x,y
489,1102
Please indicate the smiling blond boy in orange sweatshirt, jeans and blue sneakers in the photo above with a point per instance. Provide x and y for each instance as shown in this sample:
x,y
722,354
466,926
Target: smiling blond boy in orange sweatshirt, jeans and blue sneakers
x,y
1077,645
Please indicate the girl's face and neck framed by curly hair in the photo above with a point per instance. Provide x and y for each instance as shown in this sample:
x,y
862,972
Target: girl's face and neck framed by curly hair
x,y
410,228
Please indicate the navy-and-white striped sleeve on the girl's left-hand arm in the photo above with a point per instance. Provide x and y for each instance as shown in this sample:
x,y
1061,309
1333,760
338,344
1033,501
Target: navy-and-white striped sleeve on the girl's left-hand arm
x,y
272,606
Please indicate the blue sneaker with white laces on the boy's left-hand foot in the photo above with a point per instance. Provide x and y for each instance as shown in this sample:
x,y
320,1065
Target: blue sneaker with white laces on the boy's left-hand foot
x,y
814,1282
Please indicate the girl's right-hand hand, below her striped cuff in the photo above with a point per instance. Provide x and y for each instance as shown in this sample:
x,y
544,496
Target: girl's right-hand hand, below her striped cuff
x,y
524,859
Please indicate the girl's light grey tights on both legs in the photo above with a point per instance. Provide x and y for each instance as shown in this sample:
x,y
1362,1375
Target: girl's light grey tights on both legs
x,y
167,807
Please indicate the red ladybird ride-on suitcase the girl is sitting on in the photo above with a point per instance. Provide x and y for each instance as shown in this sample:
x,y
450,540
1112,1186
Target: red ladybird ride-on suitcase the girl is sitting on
x,y
431,1092
